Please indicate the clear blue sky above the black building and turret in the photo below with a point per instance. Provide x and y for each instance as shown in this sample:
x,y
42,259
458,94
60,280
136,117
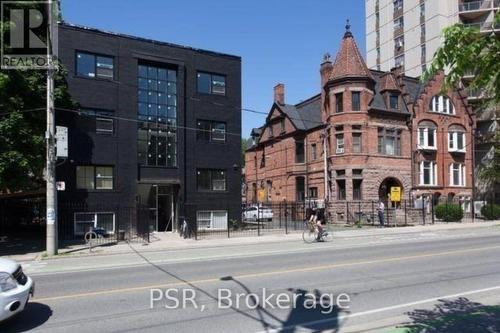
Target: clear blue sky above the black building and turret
x,y
279,41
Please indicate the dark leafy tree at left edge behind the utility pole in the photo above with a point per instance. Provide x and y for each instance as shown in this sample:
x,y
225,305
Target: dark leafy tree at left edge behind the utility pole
x,y
23,124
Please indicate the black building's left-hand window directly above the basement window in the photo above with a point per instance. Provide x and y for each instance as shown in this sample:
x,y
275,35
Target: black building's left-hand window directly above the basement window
x,y
94,177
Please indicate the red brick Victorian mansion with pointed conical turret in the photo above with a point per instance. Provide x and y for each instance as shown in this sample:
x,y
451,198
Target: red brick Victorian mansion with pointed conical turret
x,y
368,123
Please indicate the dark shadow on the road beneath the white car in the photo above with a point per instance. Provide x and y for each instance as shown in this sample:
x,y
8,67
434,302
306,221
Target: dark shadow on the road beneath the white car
x,y
34,315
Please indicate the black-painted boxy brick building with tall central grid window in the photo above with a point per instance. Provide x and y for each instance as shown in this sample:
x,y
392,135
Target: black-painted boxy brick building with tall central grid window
x,y
158,125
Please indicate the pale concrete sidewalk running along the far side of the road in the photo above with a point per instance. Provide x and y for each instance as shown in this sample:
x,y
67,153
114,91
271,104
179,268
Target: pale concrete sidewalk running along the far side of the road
x,y
172,241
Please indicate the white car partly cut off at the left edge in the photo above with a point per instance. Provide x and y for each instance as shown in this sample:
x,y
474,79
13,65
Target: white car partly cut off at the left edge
x,y
15,288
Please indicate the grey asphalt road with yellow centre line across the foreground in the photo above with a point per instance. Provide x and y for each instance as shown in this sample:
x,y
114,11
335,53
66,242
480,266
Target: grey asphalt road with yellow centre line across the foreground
x,y
351,287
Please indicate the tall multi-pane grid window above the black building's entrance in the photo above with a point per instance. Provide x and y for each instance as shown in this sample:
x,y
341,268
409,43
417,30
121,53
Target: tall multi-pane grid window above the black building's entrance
x,y
157,115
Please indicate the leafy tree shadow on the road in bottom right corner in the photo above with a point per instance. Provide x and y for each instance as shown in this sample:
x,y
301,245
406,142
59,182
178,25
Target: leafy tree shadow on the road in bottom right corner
x,y
460,315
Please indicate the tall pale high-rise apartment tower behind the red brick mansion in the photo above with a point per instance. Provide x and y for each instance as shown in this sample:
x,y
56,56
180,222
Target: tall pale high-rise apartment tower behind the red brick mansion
x,y
407,33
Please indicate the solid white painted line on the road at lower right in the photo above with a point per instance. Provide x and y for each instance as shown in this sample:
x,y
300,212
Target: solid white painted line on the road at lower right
x,y
388,308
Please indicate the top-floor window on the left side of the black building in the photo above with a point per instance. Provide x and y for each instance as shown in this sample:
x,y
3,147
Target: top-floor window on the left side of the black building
x,y
94,66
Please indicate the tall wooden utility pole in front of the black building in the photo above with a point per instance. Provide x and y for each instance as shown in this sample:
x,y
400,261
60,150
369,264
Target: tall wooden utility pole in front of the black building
x,y
51,199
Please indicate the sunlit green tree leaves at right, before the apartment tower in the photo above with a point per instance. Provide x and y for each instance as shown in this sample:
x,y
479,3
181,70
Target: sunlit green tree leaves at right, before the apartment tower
x,y
466,50
